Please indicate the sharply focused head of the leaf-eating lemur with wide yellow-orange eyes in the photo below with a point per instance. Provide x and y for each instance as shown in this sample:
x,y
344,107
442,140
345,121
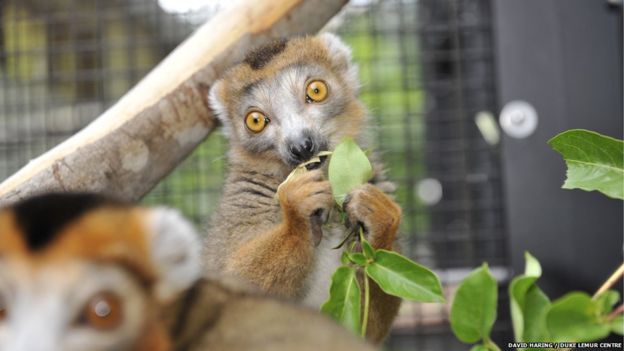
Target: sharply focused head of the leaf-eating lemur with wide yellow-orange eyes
x,y
290,99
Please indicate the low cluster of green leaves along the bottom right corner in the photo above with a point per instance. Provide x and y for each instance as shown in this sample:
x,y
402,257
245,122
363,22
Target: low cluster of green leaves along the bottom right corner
x,y
575,316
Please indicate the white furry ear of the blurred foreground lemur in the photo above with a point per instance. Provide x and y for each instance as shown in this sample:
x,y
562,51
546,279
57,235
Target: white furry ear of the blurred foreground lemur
x,y
175,250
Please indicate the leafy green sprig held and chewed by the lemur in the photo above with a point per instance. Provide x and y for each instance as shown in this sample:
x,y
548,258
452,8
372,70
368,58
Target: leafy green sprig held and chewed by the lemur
x,y
394,274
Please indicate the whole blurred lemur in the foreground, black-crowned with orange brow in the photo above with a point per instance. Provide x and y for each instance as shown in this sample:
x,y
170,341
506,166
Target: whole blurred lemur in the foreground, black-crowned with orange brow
x,y
79,272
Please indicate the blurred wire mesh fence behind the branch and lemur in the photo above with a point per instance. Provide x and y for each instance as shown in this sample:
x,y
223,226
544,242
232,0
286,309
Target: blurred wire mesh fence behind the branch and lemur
x,y
427,69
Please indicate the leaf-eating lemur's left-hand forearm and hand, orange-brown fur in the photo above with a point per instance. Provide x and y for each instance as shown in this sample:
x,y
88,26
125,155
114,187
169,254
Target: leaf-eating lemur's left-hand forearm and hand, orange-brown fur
x,y
279,259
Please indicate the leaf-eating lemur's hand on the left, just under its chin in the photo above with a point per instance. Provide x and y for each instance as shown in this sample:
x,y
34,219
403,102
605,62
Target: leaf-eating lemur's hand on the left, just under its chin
x,y
304,199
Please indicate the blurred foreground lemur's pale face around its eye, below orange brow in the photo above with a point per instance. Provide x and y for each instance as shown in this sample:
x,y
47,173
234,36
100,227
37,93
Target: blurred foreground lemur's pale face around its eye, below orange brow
x,y
71,305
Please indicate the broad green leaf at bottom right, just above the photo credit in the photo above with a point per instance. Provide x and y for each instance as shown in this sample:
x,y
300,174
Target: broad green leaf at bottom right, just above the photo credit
x,y
575,317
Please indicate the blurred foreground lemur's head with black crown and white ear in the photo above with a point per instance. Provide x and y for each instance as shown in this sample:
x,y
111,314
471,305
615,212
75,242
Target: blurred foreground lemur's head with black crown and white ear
x,y
80,272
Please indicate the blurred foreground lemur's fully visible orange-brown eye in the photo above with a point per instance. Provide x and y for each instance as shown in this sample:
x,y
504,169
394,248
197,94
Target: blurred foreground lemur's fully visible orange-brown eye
x,y
103,312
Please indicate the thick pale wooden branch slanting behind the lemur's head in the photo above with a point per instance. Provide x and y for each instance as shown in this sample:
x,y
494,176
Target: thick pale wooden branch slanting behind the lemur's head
x,y
127,150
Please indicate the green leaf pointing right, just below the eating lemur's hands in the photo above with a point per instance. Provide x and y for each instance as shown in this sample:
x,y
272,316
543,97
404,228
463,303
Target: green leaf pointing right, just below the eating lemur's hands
x,y
399,276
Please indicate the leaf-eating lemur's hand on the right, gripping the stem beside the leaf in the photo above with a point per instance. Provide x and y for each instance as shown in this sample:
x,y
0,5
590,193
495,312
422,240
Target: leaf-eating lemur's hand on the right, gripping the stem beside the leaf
x,y
376,211
